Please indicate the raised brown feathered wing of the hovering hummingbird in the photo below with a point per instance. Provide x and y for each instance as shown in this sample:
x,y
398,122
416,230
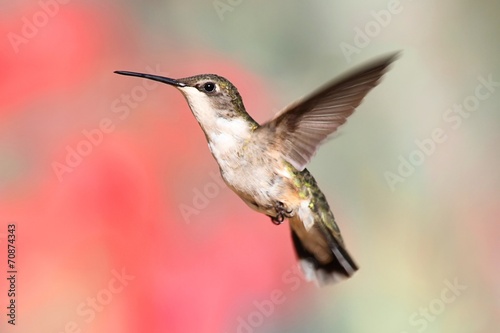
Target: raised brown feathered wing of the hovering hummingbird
x,y
302,127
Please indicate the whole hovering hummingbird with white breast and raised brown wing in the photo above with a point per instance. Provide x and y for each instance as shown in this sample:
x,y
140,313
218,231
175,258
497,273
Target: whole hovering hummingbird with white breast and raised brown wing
x,y
265,164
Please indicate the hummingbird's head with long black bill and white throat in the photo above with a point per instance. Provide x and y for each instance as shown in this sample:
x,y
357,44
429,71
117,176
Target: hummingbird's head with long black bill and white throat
x,y
214,101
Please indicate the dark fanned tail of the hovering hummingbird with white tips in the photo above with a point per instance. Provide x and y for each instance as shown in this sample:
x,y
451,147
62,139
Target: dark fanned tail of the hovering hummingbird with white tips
x,y
322,257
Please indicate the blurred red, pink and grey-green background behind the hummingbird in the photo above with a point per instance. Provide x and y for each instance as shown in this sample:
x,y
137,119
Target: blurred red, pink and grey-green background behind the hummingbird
x,y
137,233
